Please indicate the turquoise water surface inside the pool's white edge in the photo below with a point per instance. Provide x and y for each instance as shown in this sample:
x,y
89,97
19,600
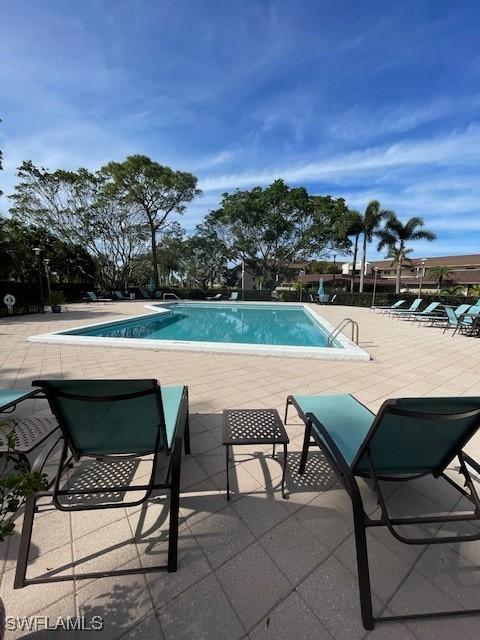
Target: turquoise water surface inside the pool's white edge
x,y
210,322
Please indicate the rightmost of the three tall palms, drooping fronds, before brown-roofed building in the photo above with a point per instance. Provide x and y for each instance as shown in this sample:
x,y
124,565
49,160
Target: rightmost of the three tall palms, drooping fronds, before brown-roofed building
x,y
395,235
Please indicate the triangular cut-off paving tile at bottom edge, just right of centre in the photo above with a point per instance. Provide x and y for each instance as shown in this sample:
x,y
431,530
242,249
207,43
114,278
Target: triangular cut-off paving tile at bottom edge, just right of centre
x,y
290,619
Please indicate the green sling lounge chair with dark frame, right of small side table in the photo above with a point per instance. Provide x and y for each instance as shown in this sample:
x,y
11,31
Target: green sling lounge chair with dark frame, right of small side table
x,y
407,439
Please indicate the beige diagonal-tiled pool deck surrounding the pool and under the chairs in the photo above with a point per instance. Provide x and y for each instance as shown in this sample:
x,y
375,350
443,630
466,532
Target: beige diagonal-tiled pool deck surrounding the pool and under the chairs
x,y
259,567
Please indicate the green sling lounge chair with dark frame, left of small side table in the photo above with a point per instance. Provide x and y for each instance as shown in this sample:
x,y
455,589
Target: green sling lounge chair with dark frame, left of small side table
x,y
112,420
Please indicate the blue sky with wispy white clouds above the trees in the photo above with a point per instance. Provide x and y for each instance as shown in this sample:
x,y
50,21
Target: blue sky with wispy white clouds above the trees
x,y
355,99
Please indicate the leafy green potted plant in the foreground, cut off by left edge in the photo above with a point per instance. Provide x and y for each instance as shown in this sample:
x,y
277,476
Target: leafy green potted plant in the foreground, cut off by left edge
x,y
17,482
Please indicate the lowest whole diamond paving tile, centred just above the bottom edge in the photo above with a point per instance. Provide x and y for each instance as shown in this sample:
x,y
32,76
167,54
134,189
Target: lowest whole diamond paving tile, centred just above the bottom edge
x,y
244,578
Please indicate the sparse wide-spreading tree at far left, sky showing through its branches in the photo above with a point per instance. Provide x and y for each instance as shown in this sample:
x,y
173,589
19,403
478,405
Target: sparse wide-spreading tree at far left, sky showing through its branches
x,y
74,206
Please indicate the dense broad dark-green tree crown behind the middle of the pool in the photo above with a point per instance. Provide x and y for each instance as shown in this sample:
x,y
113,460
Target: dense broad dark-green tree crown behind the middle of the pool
x,y
274,226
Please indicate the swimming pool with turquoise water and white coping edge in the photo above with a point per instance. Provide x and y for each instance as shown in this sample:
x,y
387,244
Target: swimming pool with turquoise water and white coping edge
x,y
239,327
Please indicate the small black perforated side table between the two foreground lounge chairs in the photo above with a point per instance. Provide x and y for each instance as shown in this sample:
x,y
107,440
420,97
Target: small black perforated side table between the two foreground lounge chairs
x,y
254,426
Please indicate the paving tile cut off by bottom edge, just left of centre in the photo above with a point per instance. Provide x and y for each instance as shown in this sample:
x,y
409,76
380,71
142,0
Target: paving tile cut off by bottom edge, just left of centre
x,y
202,612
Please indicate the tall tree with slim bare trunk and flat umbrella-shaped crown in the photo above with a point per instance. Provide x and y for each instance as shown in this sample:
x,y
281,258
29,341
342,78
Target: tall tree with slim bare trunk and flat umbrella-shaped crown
x,y
153,191
